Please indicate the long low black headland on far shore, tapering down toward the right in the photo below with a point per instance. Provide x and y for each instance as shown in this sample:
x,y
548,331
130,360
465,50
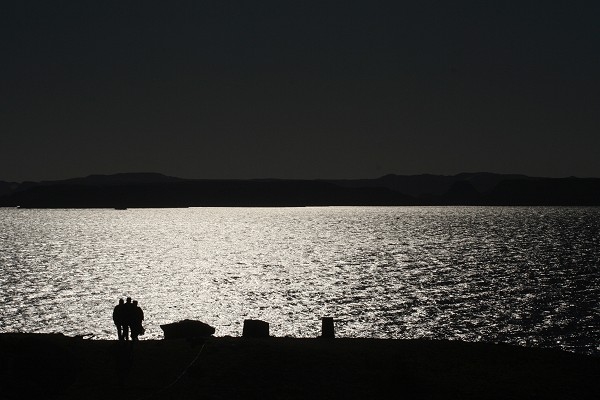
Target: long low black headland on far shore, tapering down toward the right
x,y
199,193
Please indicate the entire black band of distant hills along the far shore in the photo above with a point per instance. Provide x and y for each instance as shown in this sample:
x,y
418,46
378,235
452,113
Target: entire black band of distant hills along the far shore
x,y
156,190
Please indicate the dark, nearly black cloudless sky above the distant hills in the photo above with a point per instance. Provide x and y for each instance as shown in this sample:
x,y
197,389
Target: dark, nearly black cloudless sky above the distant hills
x,y
298,89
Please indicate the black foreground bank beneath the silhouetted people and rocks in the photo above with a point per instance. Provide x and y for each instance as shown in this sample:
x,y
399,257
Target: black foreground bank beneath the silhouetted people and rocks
x,y
55,366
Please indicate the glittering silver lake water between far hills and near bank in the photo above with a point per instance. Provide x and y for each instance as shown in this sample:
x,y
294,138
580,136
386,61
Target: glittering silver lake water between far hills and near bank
x,y
521,275
